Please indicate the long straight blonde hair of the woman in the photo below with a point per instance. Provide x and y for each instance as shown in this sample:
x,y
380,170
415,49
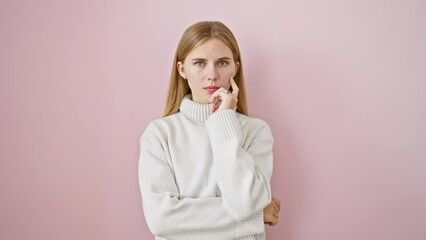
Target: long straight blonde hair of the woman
x,y
193,37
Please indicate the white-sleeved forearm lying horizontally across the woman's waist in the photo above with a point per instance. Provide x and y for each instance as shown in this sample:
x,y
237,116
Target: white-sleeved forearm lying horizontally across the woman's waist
x,y
199,218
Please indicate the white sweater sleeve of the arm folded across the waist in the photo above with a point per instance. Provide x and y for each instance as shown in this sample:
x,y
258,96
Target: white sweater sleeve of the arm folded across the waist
x,y
171,217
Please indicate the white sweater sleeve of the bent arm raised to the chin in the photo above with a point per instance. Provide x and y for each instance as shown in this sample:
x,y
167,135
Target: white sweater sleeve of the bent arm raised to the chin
x,y
242,164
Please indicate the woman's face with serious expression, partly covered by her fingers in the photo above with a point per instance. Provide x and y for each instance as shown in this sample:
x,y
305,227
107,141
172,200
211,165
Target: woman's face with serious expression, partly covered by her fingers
x,y
208,68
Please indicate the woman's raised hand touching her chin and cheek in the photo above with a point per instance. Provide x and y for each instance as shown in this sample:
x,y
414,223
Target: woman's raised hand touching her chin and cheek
x,y
221,99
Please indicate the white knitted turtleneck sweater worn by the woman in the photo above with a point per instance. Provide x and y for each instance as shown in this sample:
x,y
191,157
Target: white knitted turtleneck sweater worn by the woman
x,y
205,176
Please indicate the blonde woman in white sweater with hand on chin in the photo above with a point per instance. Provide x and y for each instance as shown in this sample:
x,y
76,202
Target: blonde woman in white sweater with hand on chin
x,y
205,167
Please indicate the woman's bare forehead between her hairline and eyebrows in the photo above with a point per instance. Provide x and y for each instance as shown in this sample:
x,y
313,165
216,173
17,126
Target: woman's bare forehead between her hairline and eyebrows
x,y
212,48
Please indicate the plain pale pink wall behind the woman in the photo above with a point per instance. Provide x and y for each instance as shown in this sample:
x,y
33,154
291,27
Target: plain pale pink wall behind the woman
x,y
342,84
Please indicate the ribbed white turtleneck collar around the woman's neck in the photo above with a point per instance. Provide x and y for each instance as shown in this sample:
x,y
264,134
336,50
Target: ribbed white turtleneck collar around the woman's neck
x,y
198,112
